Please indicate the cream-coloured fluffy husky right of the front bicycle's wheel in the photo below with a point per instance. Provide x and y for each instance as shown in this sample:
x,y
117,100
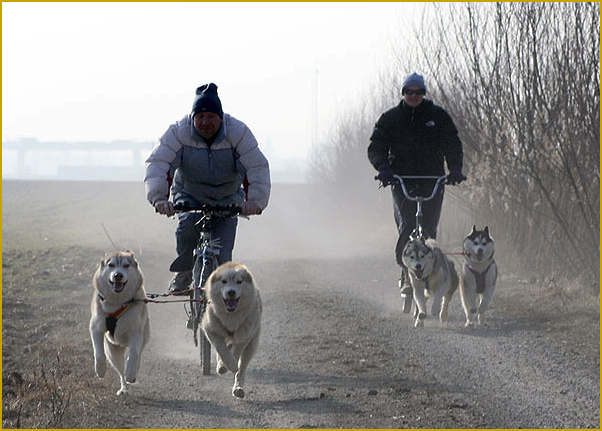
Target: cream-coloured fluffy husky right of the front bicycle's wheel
x,y
232,320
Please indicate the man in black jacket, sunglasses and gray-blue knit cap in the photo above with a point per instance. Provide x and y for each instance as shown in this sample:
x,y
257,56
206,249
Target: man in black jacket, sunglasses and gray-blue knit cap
x,y
415,138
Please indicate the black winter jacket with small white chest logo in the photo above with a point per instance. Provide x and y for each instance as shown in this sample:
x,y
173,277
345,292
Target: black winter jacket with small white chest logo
x,y
415,141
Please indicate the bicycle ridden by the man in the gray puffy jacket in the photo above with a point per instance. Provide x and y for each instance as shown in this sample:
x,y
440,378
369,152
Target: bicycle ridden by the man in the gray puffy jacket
x,y
205,261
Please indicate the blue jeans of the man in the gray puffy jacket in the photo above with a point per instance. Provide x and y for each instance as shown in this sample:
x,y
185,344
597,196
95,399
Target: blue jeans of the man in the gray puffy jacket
x,y
187,235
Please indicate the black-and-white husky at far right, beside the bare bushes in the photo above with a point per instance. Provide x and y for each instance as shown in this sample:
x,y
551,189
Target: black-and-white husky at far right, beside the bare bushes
x,y
479,274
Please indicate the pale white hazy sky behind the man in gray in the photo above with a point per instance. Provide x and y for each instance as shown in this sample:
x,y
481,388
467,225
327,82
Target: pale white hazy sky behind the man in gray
x,y
108,71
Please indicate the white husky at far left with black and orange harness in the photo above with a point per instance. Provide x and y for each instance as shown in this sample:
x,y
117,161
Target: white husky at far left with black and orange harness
x,y
119,317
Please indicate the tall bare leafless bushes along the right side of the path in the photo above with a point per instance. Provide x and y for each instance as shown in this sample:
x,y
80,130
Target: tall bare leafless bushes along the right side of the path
x,y
522,82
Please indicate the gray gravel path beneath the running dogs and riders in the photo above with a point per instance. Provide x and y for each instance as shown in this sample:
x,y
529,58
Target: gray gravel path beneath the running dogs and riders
x,y
333,358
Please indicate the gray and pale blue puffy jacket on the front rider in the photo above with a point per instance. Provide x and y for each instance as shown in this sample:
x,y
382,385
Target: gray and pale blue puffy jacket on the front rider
x,y
211,174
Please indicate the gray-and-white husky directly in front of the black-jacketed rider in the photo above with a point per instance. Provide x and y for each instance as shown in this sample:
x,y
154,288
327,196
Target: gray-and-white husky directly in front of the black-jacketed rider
x,y
432,275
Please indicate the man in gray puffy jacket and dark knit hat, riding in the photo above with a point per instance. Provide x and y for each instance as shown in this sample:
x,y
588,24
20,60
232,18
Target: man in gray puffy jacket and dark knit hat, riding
x,y
206,157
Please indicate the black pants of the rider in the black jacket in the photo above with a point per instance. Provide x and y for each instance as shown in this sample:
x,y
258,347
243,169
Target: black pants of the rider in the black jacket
x,y
405,213
